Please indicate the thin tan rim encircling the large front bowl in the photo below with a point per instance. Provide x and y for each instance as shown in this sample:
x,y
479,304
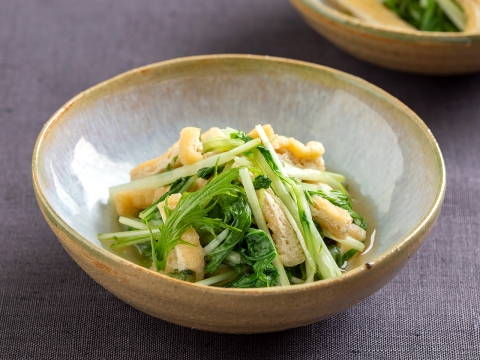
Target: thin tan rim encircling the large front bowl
x,y
408,240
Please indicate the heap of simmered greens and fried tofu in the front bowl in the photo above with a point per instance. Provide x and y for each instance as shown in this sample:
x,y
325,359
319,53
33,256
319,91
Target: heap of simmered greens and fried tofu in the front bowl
x,y
226,208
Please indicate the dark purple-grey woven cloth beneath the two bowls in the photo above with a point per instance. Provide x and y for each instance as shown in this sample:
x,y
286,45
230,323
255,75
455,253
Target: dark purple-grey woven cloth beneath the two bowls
x,y
49,308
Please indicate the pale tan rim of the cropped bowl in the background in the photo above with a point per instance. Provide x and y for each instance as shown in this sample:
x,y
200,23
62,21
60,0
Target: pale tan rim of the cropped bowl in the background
x,y
322,11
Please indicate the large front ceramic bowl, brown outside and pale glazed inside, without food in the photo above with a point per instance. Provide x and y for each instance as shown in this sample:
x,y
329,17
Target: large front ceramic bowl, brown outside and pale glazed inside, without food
x,y
394,166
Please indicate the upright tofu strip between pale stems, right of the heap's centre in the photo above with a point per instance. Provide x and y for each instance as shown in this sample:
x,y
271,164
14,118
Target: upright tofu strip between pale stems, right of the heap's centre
x,y
286,241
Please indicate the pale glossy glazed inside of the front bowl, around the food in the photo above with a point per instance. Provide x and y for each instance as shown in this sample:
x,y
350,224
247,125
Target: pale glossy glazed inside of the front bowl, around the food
x,y
390,159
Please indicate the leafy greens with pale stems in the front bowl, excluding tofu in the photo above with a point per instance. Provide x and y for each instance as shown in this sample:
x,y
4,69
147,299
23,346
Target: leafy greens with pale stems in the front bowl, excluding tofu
x,y
227,214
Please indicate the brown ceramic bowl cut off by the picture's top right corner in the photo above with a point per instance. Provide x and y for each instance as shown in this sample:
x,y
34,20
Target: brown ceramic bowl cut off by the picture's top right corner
x,y
412,51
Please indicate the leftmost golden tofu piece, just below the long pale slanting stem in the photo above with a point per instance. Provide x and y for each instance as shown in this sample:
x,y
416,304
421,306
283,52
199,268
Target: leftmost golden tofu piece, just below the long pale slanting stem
x,y
131,202
